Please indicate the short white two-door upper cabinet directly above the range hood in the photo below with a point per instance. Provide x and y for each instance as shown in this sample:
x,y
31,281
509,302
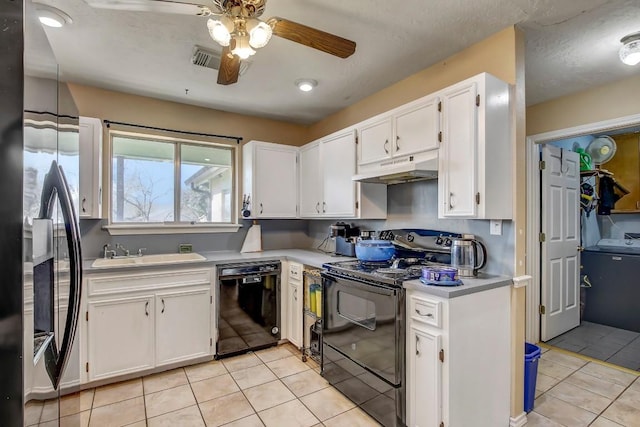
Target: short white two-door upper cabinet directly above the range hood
x,y
397,135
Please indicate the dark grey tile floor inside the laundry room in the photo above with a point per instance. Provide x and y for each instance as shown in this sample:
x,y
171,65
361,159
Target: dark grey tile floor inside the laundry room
x,y
613,345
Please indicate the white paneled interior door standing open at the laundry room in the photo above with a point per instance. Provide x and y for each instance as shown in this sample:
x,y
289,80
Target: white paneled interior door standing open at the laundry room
x,y
560,292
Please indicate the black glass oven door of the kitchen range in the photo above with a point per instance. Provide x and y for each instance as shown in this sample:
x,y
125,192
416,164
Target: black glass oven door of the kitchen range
x,y
363,323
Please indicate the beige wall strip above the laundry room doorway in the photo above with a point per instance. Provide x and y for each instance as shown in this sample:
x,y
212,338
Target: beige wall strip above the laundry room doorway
x,y
605,102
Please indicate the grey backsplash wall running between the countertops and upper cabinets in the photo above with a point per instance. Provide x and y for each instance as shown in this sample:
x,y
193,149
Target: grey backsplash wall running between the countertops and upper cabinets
x,y
411,205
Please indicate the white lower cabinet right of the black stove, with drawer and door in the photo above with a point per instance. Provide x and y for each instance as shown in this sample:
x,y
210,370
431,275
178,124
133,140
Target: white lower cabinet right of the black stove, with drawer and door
x,y
459,359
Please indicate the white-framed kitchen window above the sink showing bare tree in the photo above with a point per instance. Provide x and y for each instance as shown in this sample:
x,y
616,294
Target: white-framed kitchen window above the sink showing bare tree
x,y
157,180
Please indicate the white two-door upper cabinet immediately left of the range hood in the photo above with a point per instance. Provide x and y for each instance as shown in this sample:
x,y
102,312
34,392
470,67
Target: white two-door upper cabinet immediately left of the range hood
x,y
326,187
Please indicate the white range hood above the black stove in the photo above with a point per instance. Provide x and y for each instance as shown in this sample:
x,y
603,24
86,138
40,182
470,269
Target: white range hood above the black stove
x,y
406,170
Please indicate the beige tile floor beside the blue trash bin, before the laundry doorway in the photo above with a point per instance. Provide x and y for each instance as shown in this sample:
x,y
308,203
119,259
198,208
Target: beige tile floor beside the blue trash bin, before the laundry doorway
x,y
577,391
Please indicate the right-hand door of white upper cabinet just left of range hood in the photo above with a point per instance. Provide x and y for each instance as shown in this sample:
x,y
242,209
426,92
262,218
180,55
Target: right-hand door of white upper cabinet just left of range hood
x,y
338,166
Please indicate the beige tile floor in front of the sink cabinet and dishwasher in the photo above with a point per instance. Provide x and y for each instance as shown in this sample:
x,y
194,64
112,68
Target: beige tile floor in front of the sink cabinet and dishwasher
x,y
271,387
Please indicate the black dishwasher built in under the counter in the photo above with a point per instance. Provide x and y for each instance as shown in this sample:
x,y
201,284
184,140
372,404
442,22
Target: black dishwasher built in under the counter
x,y
248,307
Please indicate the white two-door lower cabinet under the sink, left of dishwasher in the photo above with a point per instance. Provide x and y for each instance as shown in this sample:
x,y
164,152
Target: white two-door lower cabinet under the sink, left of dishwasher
x,y
142,320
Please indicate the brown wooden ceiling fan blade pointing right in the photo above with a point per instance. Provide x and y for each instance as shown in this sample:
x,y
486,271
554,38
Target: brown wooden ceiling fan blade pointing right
x,y
312,37
